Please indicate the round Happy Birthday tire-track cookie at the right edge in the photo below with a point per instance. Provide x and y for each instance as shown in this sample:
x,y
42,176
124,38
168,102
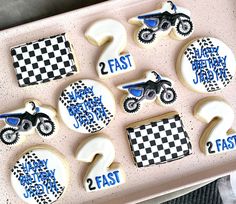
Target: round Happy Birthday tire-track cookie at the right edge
x,y
206,65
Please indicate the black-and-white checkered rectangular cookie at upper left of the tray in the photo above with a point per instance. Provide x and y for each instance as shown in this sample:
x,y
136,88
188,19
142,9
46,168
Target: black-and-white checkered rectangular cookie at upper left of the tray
x,y
43,60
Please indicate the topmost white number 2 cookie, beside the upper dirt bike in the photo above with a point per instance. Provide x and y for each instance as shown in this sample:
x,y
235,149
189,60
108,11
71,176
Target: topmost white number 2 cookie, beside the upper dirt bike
x,y
114,59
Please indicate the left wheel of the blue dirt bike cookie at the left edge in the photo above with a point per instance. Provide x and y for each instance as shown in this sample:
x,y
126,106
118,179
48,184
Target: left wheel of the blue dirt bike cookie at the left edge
x,y
9,136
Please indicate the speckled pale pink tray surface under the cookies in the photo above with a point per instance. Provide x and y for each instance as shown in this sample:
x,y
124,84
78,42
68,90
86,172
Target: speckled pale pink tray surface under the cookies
x,y
211,18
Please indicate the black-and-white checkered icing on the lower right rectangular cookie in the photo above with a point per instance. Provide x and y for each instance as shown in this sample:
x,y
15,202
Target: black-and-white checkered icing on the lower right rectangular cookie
x,y
159,141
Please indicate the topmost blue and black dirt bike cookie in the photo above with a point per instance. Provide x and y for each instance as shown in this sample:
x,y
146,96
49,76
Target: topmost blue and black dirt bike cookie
x,y
169,20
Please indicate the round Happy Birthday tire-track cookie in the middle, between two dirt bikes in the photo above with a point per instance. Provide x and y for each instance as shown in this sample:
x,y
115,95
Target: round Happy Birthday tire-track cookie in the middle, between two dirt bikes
x,y
86,106
